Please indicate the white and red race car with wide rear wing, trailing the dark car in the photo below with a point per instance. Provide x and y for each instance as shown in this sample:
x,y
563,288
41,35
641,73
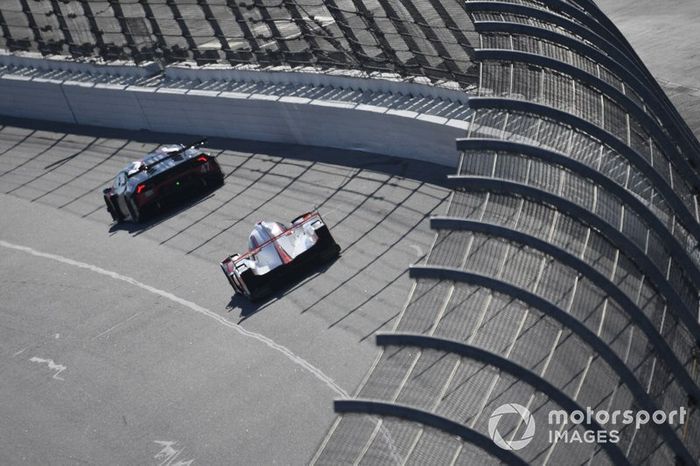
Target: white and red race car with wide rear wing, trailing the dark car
x,y
277,254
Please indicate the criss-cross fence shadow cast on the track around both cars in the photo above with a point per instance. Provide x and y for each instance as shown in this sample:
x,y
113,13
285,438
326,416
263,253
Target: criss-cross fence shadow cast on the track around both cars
x,y
378,204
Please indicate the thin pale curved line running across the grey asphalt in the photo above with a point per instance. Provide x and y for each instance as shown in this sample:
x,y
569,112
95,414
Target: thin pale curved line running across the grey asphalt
x,y
286,352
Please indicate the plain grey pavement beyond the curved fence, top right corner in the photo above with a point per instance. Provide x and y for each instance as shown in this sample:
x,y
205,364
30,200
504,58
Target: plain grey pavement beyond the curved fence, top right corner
x,y
665,34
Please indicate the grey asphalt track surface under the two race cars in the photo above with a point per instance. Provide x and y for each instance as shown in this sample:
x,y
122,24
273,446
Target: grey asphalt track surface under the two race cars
x,y
125,346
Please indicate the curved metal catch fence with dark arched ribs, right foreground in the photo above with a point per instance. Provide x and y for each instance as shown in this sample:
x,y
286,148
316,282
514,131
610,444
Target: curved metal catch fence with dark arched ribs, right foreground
x,y
564,273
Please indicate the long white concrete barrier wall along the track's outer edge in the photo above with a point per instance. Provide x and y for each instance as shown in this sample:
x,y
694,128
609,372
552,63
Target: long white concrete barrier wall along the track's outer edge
x,y
284,118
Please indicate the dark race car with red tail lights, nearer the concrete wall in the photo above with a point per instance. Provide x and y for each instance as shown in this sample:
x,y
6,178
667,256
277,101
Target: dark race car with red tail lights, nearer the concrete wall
x,y
167,174
